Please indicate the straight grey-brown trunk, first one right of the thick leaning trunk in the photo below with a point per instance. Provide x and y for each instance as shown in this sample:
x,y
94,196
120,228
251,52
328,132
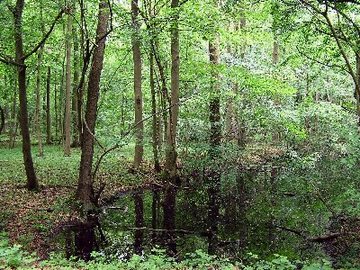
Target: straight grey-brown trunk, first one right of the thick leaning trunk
x,y
139,130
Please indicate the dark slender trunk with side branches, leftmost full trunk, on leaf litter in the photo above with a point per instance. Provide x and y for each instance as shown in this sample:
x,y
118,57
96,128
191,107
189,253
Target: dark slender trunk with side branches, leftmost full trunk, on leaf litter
x,y
32,183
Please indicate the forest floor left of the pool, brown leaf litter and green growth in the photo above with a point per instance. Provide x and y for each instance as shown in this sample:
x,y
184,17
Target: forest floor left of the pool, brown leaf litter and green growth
x,y
30,218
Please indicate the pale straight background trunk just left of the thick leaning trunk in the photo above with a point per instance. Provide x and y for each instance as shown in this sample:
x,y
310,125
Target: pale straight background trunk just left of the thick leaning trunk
x,y
67,124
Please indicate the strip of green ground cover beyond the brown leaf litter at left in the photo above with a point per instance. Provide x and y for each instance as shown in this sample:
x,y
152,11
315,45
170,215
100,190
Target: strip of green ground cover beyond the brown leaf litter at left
x,y
56,169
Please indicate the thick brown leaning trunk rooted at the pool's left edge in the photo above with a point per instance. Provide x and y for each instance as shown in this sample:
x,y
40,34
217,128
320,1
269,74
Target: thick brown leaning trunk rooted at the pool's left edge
x,y
85,192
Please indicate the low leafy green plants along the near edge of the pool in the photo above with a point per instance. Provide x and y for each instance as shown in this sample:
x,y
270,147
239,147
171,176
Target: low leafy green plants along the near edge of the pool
x,y
15,257
